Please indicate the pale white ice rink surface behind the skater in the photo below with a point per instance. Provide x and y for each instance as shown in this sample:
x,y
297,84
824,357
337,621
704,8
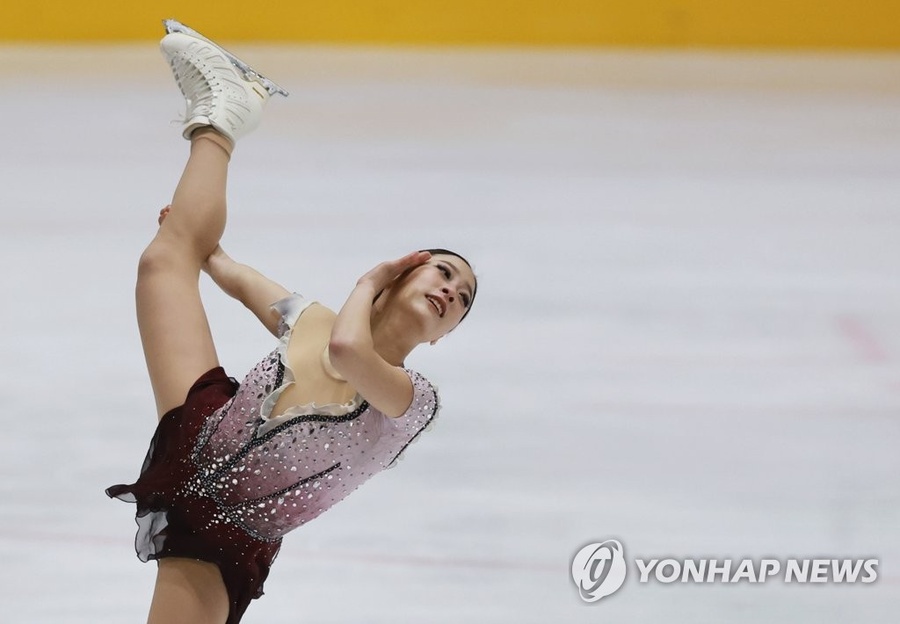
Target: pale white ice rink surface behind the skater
x,y
687,335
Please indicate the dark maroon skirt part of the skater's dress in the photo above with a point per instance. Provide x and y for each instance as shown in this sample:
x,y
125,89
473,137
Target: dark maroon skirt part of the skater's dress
x,y
174,522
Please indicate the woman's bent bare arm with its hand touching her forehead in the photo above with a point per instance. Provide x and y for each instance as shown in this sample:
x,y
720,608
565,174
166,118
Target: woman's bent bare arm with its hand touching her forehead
x,y
351,348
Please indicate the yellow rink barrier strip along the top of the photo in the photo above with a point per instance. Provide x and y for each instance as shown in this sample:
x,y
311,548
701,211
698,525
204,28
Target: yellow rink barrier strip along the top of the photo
x,y
829,24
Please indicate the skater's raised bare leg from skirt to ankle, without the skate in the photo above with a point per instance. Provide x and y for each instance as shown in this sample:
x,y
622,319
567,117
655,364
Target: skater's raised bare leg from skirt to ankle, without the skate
x,y
175,334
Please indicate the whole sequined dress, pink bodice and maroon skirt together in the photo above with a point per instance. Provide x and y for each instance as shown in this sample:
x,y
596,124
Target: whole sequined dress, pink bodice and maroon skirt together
x,y
224,481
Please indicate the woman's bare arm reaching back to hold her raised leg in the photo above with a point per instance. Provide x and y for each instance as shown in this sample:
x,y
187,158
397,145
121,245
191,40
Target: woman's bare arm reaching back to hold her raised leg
x,y
247,285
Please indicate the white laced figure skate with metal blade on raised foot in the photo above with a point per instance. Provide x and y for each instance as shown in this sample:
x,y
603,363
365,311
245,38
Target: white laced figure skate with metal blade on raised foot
x,y
219,89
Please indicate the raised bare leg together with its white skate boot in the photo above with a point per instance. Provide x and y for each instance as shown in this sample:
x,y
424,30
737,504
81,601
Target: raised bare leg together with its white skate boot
x,y
222,104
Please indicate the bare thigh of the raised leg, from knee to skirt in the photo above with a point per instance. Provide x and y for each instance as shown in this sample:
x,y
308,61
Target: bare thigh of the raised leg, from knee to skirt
x,y
175,334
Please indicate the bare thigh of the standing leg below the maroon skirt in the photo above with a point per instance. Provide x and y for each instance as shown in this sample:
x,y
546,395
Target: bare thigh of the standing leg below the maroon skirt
x,y
188,591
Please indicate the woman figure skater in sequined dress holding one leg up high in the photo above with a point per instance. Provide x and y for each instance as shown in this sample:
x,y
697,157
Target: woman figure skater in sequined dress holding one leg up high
x,y
233,467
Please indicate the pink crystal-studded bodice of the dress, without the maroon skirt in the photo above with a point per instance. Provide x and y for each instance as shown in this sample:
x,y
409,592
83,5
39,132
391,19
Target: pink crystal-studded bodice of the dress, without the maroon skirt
x,y
271,475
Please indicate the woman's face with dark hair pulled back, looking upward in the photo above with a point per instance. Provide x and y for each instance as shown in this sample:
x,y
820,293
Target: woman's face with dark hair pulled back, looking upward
x,y
441,292
